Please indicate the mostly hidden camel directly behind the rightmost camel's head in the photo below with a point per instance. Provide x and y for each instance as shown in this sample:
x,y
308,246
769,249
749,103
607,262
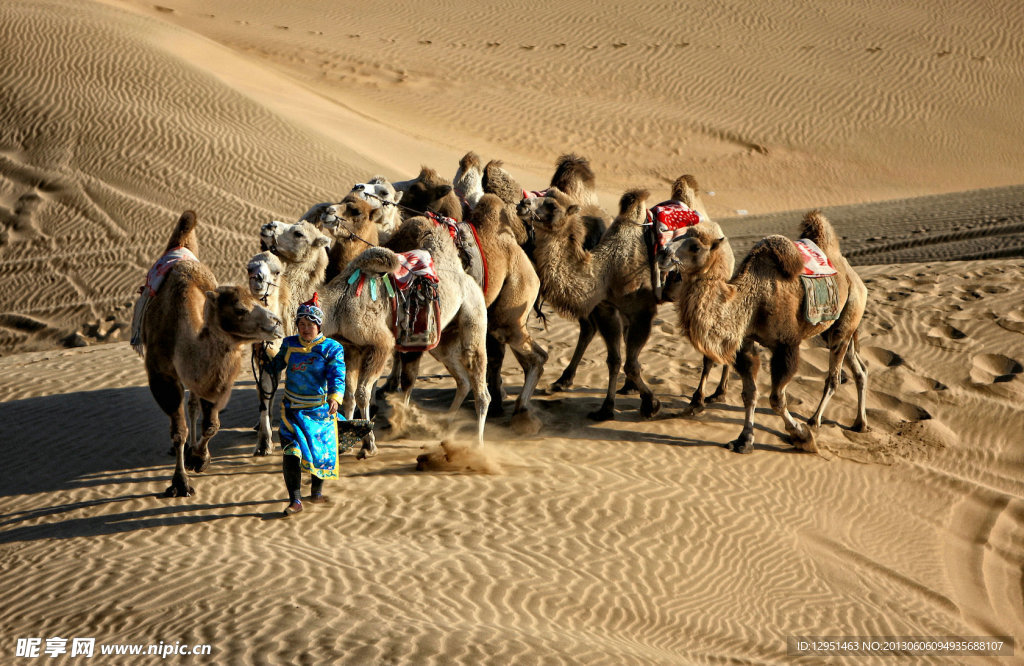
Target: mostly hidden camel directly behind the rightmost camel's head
x,y
686,191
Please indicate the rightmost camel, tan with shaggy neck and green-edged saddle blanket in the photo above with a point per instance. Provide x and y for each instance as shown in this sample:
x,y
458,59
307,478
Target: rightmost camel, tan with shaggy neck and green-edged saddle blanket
x,y
763,304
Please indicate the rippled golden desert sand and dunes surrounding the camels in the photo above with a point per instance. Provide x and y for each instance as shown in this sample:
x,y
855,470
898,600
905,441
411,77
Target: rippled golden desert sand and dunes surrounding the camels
x,y
622,543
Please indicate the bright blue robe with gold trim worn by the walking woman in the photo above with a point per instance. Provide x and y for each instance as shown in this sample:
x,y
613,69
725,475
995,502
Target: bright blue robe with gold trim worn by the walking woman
x,y
315,373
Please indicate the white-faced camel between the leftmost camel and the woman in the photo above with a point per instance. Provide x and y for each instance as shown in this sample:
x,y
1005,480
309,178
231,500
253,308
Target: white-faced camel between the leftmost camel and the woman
x,y
268,285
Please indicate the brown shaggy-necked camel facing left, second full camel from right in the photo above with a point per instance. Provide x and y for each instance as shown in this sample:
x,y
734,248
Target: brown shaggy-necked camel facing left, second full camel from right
x,y
612,282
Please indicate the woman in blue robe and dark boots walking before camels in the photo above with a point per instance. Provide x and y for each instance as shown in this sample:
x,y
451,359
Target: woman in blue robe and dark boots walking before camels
x,y
315,387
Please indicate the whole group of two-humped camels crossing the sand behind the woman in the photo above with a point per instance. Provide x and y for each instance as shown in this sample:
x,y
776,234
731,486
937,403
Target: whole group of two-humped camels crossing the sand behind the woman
x,y
456,269
